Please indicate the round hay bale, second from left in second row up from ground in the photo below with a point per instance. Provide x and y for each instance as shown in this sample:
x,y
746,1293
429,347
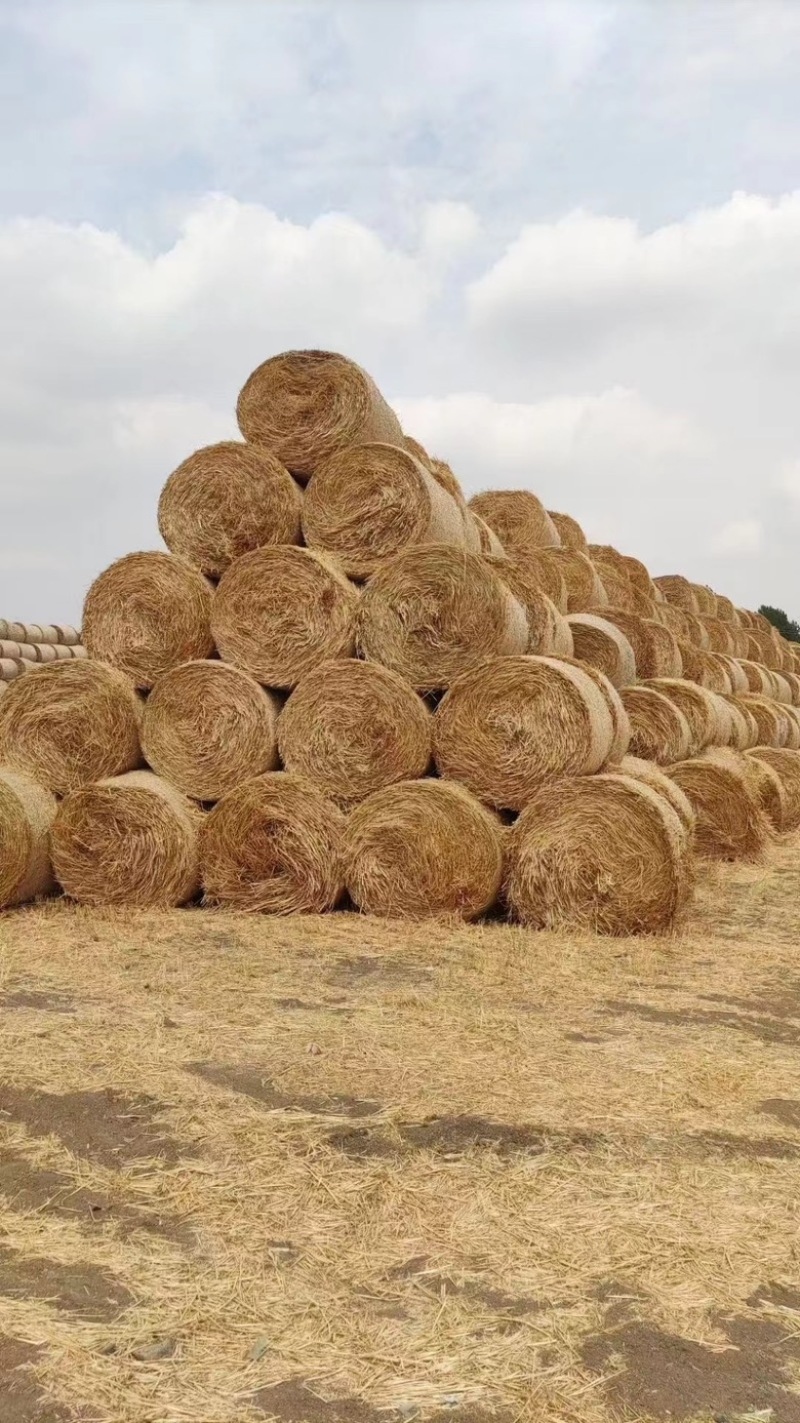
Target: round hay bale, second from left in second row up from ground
x,y
209,726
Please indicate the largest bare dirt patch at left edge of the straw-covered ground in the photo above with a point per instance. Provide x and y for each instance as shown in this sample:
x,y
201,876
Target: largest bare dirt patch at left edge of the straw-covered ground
x,y
107,1128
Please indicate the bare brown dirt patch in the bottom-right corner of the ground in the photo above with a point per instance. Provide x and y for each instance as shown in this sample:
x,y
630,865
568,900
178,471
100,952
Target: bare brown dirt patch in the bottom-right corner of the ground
x,y
665,1377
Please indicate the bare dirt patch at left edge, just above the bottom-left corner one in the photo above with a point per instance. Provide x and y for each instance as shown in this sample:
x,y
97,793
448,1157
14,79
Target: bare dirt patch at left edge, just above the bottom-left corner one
x,y
80,1289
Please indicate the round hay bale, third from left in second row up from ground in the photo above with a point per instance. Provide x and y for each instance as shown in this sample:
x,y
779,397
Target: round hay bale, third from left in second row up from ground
x,y
354,728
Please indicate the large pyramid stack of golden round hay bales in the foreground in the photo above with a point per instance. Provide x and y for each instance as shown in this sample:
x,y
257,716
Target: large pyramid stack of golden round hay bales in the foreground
x,y
348,684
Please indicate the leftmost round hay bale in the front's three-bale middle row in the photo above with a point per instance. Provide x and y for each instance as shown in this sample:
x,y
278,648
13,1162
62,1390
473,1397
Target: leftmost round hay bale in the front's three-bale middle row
x,y
147,614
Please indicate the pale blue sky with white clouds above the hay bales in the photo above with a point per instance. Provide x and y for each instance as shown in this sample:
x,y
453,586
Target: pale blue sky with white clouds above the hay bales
x,y
562,236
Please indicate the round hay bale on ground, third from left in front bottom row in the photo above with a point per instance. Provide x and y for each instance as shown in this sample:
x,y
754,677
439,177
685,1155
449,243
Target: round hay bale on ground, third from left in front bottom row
x,y
274,846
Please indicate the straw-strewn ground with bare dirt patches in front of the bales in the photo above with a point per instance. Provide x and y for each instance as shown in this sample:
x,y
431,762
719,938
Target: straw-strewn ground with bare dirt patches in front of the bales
x,y
337,1170
